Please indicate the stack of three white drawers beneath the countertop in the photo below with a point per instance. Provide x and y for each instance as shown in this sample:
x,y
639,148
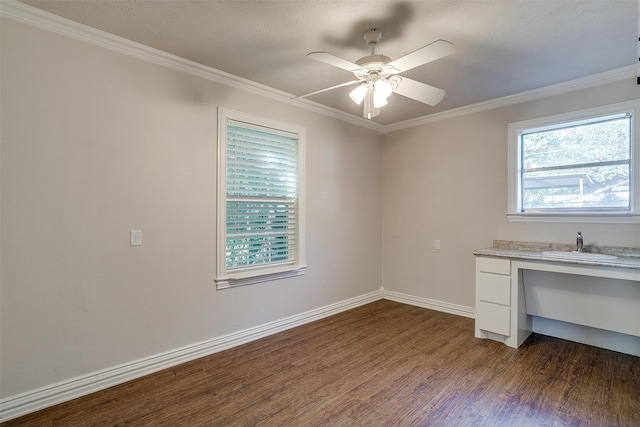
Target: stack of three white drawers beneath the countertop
x,y
493,298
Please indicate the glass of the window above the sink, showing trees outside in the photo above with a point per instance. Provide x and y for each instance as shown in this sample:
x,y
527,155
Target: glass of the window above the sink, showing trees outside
x,y
578,166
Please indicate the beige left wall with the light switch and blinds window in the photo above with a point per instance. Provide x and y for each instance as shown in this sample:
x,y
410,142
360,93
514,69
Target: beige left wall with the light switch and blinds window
x,y
96,143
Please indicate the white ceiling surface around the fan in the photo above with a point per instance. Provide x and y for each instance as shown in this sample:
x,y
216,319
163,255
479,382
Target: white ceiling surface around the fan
x,y
503,47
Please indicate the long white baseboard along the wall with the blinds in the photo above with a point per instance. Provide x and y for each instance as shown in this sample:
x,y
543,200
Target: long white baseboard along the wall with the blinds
x,y
43,397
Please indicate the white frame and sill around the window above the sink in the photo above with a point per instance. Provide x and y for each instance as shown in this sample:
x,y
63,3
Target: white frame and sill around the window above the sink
x,y
514,211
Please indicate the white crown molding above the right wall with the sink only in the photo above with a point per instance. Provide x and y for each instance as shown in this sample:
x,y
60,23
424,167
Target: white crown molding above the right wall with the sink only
x,y
611,76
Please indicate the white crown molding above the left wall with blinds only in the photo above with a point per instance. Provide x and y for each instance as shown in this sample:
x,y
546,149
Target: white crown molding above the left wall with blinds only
x,y
30,15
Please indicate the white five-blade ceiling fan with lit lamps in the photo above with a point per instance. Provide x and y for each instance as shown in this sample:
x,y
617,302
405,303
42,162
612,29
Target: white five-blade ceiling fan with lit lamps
x,y
378,74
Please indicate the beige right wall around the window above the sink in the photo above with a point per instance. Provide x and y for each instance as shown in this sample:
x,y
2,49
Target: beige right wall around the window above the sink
x,y
447,180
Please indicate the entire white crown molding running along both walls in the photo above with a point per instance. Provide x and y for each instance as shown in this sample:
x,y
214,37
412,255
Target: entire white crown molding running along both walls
x,y
30,15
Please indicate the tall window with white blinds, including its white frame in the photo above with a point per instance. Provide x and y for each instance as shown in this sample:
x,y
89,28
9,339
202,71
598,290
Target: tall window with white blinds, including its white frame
x,y
260,200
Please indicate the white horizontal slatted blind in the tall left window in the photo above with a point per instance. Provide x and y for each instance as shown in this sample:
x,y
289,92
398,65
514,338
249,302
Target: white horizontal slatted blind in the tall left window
x,y
261,196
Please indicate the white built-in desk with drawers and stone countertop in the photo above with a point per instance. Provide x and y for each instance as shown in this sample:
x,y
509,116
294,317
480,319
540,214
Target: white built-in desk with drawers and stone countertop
x,y
520,290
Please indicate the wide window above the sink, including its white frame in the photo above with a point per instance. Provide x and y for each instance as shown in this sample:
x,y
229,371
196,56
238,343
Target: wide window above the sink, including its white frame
x,y
576,166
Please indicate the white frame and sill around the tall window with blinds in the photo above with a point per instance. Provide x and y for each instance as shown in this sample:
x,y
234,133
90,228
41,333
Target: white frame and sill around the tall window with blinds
x,y
250,275
